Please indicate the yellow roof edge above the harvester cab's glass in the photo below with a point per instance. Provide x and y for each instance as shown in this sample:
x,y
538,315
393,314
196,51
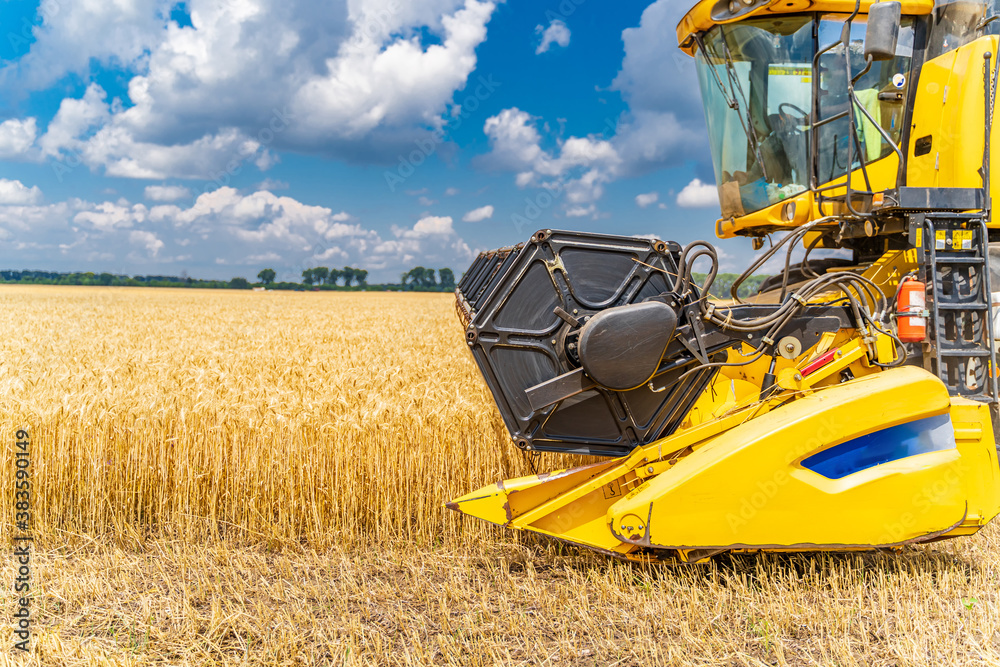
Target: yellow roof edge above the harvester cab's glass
x,y
708,13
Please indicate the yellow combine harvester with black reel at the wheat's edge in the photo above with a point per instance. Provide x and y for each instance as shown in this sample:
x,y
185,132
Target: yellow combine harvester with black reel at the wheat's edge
x,y
852,404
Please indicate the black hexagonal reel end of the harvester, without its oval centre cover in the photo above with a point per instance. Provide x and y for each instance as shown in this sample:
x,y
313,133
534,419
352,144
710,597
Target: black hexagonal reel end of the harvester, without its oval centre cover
x,y
521,327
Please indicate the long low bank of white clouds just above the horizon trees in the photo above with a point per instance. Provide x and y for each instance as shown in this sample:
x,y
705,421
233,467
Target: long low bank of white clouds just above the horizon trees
x,y
219,228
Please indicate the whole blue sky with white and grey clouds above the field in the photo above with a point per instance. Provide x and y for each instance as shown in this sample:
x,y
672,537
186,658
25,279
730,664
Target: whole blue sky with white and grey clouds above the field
x,y
215,138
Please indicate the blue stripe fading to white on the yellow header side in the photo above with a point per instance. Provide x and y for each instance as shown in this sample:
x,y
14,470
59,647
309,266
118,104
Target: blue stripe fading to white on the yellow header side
x,y
933,434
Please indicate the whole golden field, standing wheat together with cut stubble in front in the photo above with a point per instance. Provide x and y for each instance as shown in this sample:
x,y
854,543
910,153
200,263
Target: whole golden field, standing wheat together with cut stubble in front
x,y
234,478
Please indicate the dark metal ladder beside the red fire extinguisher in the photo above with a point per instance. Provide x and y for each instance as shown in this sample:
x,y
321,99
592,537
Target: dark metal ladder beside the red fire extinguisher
x,y
959,297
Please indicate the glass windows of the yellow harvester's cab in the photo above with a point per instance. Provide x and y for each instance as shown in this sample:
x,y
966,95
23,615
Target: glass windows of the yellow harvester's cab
x,y
757,83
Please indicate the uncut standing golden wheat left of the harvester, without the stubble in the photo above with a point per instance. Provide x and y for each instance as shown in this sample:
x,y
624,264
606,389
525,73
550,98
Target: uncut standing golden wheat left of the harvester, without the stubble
x,y
332,418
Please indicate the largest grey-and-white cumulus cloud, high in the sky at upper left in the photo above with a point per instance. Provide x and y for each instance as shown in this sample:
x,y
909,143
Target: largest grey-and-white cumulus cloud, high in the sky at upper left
x,y
358,80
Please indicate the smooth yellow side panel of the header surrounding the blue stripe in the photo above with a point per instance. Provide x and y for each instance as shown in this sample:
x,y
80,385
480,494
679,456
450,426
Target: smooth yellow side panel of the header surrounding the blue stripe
x,y
746,489
